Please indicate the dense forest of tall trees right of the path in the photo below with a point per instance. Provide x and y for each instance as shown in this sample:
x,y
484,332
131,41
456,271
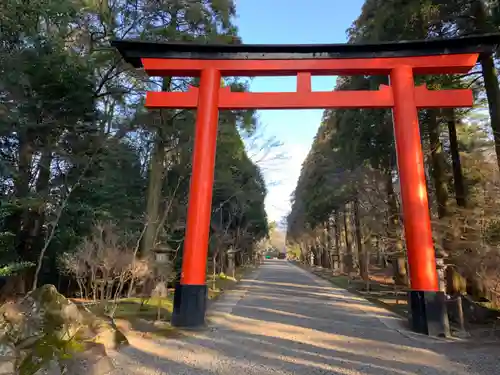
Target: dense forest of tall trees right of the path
x,y
346,206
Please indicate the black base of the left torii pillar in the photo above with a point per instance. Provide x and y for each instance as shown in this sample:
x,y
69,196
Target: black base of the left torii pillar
x,y
190,303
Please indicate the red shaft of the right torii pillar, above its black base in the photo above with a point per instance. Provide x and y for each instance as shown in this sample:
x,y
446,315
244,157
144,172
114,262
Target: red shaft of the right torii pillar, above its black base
x,y
417,224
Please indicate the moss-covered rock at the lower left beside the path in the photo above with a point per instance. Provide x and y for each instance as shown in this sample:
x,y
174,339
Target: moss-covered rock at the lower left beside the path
x,y
46,330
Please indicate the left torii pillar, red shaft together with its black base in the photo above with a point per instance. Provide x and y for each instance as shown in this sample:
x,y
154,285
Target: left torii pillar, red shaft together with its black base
x,y
190,295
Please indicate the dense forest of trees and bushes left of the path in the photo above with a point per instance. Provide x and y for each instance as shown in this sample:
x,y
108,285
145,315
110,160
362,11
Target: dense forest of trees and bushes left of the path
x,y
91,183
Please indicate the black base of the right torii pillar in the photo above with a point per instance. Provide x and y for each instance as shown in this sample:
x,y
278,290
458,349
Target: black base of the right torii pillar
x,y
427,313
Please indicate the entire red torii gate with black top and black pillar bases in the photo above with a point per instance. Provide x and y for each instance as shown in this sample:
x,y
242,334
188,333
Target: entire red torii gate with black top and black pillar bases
x,y
400,61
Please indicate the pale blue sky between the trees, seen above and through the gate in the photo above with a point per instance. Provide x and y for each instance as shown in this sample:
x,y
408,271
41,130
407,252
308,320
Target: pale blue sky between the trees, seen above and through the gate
x,y
291,22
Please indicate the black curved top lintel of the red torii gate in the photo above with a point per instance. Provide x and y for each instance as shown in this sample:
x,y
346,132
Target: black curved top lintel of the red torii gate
x,y
133,50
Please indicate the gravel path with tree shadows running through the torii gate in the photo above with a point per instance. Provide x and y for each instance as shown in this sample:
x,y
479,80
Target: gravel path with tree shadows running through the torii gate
x,y
284,320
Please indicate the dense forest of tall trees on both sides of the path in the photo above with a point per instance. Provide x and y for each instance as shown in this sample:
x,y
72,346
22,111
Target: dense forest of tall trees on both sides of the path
x,y
87,175
